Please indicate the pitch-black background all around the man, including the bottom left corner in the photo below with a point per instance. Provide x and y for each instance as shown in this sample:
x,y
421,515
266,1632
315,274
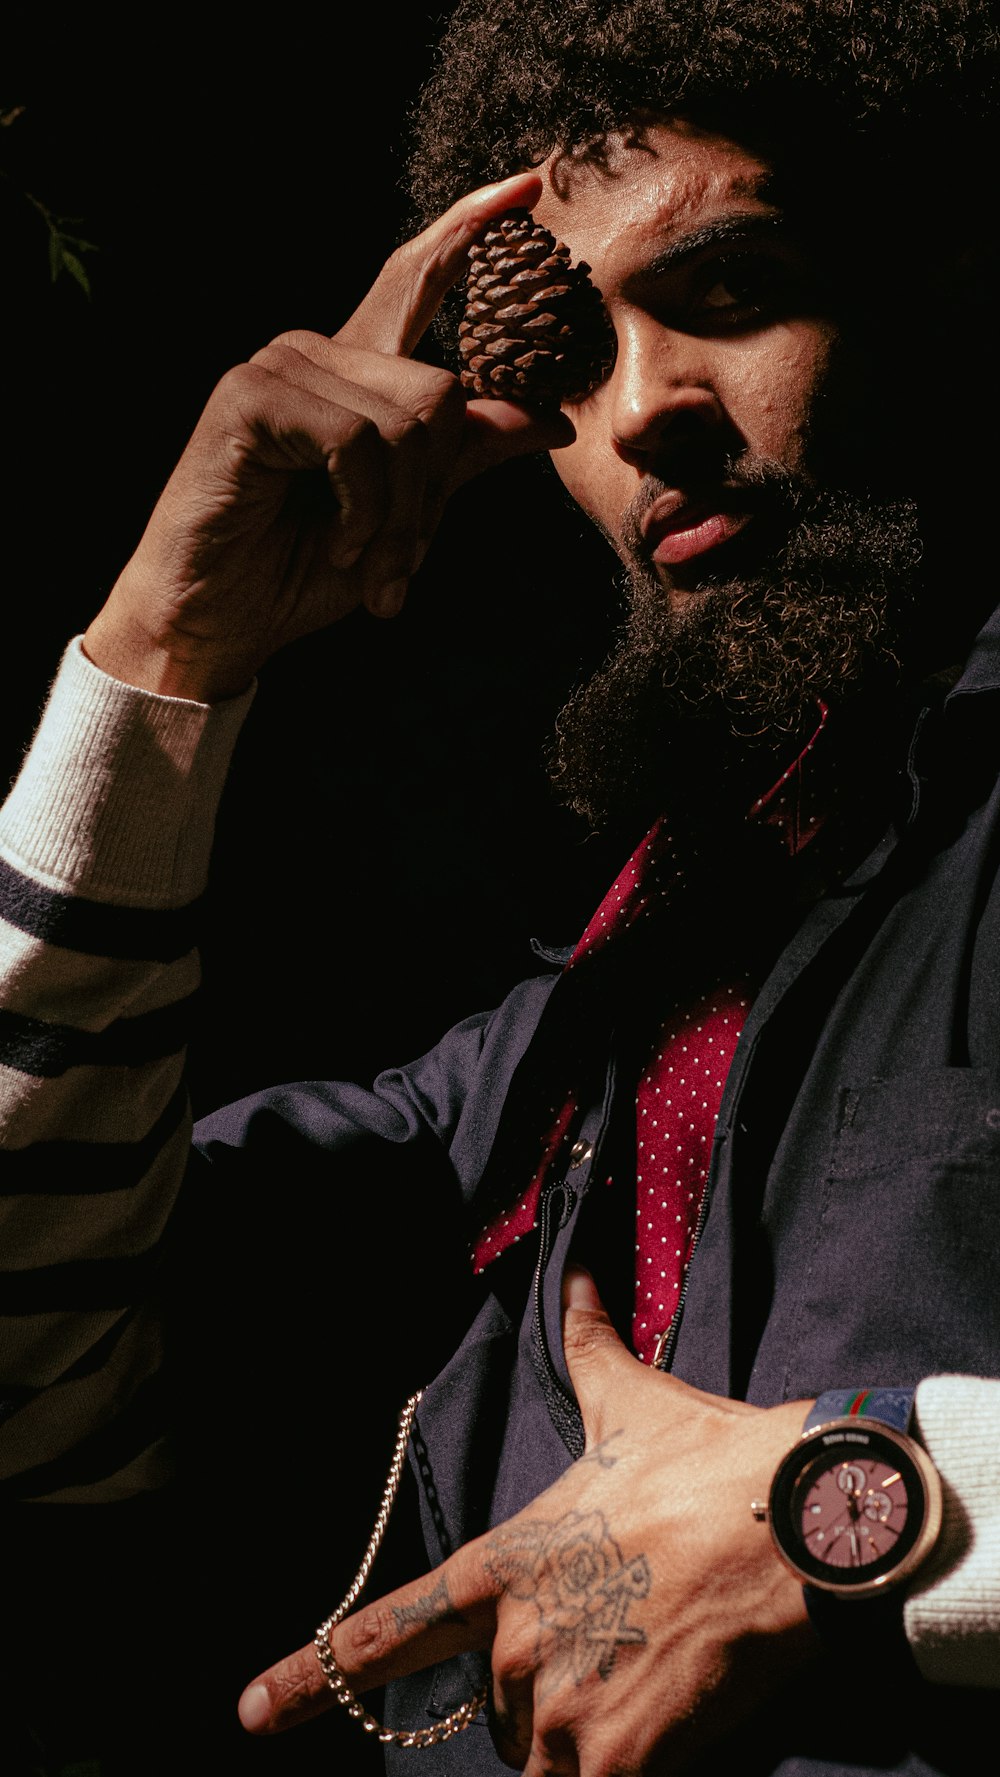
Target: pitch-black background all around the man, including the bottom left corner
x,y
388,841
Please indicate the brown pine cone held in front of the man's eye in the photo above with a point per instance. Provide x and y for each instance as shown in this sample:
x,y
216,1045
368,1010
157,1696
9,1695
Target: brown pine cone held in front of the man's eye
x,y
536,328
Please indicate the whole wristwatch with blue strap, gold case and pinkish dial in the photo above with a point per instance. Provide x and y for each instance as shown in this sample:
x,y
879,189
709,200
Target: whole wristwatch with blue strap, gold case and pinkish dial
x,y
857,1504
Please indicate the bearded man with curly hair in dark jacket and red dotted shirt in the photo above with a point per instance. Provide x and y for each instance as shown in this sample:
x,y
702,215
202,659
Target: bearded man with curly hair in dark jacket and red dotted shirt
x,y
729,1170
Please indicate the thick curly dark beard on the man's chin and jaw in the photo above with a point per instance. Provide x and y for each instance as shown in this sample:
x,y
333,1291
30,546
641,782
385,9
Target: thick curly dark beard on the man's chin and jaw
x,y
690,699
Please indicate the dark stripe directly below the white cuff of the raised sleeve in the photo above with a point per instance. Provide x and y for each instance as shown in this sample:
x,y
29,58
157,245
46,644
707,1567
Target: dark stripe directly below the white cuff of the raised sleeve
x,y
154,936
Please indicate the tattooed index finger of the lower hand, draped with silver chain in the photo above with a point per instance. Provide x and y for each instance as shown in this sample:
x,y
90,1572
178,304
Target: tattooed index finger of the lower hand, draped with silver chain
x,y
448,1613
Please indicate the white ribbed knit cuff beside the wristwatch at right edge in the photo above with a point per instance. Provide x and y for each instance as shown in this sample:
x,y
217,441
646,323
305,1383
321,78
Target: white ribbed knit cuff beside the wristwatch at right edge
x,y
953,1614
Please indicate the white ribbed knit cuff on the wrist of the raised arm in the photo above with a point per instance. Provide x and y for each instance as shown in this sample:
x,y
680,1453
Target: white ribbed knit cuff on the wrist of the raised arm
x,y
118,795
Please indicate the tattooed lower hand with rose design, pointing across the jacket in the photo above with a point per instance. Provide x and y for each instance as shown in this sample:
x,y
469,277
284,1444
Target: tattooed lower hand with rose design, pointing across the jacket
x,y
635,1611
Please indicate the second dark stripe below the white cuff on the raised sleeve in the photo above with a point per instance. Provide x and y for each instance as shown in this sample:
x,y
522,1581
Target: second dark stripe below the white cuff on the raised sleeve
x,y
51,1049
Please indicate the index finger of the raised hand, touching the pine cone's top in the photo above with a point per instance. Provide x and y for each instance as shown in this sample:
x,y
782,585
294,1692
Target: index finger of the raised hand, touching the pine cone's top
x,y
415,282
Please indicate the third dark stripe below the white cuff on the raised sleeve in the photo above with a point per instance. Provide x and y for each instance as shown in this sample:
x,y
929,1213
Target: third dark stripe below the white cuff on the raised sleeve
x,y
86,1168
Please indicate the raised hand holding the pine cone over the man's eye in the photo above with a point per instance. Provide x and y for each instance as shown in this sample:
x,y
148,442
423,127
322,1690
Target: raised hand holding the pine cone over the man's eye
x,y
313,482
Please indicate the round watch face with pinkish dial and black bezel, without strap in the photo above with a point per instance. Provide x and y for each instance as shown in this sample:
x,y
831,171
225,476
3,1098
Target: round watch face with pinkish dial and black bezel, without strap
x,y
850,1508
